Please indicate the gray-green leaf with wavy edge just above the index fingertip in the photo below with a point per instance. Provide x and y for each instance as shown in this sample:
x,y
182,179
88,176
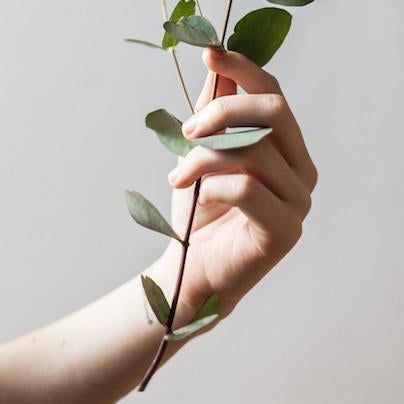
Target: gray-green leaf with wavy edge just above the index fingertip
x,y
195,30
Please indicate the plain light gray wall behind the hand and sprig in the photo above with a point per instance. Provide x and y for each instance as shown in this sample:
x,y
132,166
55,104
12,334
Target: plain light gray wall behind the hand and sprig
x,y
327,325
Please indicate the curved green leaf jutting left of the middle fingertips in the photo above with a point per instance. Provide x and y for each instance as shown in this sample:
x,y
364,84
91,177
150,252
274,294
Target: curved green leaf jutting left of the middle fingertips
x,y
168,129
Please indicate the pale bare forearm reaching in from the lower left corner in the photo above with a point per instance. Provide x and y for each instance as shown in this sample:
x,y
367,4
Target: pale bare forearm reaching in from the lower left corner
x,y
97,354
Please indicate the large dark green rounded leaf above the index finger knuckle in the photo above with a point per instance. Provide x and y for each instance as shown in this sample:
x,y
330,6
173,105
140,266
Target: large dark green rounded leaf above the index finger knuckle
x,y
260,34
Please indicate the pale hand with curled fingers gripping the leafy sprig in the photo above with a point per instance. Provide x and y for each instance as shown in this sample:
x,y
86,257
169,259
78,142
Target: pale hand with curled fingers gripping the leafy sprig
x,y
253,200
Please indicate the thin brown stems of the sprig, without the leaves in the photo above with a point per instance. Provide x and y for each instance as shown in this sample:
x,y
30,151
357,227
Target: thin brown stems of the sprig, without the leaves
x,y
185,244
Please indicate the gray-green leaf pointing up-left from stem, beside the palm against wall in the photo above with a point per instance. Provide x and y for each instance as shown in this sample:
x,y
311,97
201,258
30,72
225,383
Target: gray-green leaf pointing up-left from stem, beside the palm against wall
x,y
144,213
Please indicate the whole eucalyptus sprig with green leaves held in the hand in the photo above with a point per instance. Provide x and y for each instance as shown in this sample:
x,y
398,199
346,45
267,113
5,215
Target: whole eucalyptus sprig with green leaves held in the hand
x,y
258,35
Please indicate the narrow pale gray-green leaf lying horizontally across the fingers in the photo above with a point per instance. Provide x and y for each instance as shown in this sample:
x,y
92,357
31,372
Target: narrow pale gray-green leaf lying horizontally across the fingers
x,y
233,140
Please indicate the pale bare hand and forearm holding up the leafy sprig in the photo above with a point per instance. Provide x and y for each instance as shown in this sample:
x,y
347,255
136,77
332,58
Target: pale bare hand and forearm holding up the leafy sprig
x,y
251,208
